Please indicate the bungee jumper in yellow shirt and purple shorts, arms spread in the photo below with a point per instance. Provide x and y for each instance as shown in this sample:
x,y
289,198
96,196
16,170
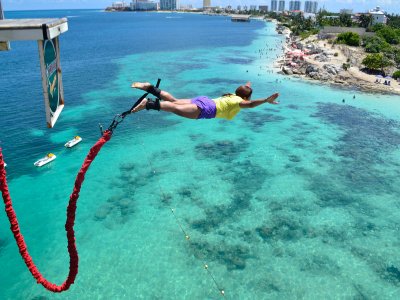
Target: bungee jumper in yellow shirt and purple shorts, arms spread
x,y
201,107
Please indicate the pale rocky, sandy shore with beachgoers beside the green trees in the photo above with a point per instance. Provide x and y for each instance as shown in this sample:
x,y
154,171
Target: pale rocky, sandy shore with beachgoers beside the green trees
x,y
317,61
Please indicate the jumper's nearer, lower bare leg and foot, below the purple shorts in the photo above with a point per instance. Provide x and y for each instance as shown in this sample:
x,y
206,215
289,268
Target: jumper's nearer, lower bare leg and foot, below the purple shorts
x,y
189,110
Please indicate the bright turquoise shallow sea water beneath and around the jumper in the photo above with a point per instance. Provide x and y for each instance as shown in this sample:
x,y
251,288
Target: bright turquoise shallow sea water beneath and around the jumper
x,y
295,201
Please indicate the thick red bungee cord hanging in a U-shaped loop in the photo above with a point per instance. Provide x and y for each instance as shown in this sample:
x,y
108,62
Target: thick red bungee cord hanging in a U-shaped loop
x,y
69,224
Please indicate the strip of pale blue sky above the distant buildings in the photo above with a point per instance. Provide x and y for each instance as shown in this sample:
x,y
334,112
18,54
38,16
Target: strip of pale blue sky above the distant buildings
x,y
392,6
